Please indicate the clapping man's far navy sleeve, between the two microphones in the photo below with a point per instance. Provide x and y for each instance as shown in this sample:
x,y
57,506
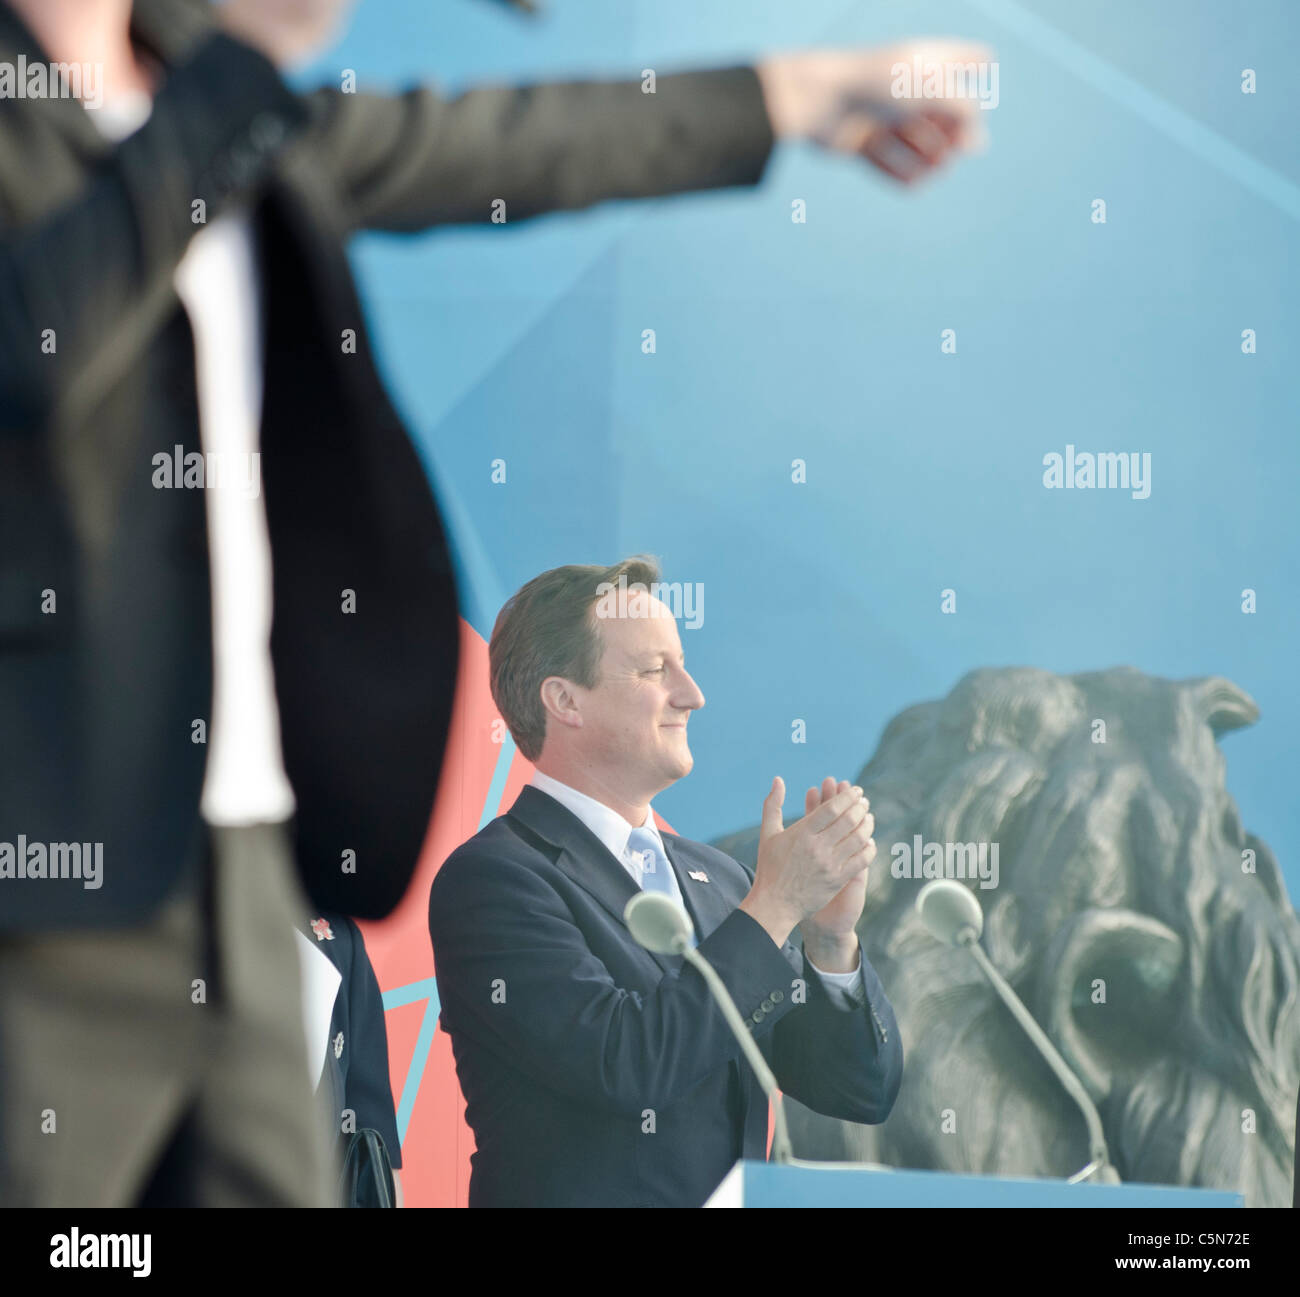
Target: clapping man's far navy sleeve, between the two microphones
x,y
838,1061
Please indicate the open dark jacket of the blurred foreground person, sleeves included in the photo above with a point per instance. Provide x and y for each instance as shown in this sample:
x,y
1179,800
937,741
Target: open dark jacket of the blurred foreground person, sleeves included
x,y
98,699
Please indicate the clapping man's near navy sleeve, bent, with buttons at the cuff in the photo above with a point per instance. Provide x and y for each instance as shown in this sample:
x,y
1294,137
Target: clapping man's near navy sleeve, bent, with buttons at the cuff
x,y
518,978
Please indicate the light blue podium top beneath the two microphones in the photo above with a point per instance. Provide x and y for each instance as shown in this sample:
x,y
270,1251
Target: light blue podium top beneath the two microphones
x,y
851,1185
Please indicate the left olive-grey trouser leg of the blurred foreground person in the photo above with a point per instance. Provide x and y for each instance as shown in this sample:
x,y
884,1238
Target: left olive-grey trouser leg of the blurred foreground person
x,y
102,1051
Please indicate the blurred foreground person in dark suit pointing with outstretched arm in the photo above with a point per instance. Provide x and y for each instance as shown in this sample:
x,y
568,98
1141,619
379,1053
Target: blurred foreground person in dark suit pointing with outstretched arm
x,y
175,298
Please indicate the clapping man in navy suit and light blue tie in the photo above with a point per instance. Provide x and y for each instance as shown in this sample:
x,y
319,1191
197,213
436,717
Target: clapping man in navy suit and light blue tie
x,y
596,1073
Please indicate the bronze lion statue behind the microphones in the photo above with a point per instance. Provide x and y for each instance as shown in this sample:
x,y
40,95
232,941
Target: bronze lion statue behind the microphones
x,y
1149,932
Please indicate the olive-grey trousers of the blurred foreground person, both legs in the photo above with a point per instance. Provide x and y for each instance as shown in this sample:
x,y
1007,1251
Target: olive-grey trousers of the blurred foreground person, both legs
x,y
110,1072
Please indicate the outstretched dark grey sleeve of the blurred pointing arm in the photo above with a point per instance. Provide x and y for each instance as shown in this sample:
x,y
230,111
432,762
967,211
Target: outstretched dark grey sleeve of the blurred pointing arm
x,y
414,161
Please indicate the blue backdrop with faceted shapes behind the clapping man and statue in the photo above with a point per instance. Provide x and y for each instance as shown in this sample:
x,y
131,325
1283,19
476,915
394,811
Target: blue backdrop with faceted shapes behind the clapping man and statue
x,y
822,342
